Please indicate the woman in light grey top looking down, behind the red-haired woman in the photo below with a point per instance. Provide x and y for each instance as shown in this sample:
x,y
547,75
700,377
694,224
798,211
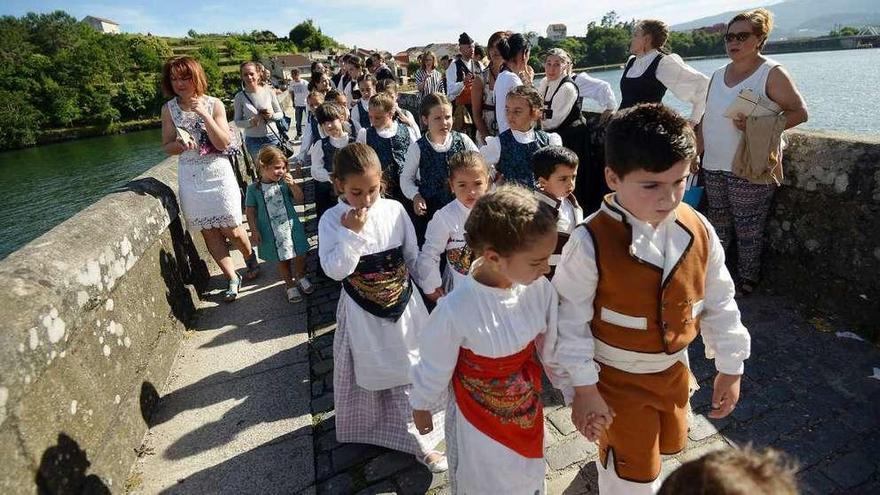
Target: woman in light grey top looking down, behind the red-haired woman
x,y
257,110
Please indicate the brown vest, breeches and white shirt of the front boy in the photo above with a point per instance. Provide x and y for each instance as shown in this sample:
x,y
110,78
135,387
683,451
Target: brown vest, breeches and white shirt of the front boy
x,y
616,332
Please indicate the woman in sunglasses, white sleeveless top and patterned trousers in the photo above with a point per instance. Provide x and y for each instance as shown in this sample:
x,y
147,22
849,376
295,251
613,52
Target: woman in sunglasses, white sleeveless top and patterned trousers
x,y
738,208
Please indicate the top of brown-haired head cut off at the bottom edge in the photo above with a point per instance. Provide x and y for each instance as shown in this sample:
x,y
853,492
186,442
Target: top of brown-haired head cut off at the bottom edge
x,y
734,472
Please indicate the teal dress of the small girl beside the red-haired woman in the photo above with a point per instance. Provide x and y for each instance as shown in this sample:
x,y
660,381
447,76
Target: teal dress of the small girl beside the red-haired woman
x,y
282,236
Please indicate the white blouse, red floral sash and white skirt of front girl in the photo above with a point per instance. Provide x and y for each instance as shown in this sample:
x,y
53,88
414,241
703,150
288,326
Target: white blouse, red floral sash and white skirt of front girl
x,y
487,342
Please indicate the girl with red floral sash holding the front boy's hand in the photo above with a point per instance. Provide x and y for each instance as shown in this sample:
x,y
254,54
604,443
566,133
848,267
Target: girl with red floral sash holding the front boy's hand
x,y
483,343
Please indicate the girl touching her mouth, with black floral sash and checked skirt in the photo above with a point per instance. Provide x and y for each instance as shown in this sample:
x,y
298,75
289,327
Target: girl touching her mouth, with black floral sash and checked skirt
x,y
369,244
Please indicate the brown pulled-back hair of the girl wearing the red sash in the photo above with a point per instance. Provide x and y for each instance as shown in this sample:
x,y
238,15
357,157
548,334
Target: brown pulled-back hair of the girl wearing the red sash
x,y
508,220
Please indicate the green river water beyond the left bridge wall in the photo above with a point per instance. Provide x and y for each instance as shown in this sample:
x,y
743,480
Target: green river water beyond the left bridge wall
x,y
43,186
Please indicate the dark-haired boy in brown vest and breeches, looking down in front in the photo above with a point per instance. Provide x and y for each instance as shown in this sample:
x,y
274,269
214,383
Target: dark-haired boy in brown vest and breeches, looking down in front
x,y
638,280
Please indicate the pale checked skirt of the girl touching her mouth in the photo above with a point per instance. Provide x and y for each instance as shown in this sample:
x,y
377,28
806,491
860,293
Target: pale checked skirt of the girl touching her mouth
x,y
380,417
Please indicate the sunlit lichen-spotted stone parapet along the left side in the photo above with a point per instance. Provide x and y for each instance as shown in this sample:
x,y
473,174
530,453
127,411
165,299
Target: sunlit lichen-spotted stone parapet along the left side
x,y
92,314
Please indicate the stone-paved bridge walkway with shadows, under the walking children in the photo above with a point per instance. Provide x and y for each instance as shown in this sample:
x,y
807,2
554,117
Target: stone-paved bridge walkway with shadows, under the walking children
x,y
249,406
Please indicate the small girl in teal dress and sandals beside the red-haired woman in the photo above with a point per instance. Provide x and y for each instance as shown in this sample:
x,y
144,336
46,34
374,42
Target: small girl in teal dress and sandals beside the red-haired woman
x,y
275,227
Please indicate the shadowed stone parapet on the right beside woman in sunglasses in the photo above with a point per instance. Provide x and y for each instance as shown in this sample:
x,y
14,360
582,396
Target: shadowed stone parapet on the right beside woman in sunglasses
x,y
824,233
